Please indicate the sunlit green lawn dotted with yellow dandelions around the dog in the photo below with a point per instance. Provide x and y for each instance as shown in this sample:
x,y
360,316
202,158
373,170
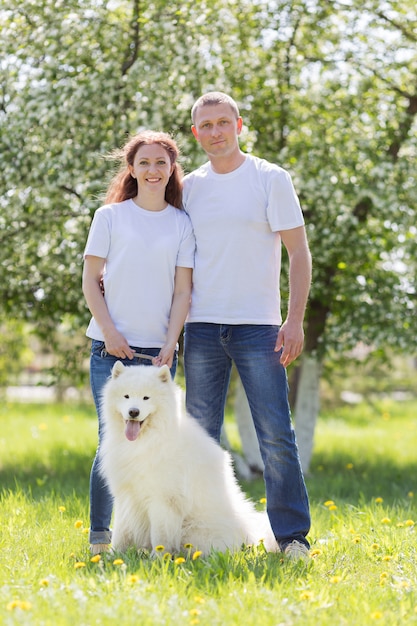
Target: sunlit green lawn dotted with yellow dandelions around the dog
x,y
364,569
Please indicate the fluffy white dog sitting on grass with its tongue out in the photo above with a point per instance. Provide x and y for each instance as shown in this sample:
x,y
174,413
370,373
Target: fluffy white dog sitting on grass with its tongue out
x,y
172,483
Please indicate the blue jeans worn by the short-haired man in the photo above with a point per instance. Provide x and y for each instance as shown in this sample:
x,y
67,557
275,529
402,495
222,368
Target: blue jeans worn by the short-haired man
x,y
209,351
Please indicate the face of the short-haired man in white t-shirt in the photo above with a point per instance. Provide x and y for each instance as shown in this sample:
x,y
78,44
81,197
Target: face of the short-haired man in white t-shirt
x,y
217,129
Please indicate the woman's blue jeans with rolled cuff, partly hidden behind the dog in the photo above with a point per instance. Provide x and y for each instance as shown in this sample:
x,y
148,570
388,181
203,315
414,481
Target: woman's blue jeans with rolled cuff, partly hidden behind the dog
x,y
101,501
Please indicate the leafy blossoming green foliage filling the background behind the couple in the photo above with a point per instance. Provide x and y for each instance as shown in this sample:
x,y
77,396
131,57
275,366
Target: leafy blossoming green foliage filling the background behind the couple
x,y
326,90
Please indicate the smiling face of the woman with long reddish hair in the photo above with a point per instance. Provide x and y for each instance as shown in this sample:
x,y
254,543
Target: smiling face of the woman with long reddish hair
x,y
152,168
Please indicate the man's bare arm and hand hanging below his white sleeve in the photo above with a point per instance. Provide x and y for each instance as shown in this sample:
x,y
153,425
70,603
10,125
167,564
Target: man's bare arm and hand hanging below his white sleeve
x,y
291,335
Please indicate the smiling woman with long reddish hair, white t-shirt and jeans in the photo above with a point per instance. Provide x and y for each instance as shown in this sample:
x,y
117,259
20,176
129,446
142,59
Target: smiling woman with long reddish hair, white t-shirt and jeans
x,y
140,254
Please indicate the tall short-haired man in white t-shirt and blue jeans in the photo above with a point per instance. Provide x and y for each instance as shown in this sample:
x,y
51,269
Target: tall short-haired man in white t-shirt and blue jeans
x,y
242,208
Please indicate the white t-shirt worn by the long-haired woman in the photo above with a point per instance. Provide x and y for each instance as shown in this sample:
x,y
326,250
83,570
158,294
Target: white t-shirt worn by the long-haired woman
x,y
142,249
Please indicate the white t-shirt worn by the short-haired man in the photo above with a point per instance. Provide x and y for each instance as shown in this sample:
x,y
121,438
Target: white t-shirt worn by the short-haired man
x,y
235,218
